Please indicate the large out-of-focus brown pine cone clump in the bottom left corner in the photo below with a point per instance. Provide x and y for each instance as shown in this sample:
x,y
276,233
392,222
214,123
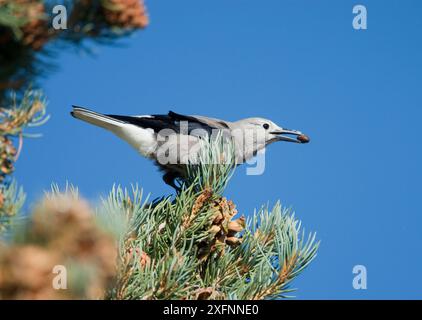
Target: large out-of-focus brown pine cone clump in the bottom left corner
x,y
62,232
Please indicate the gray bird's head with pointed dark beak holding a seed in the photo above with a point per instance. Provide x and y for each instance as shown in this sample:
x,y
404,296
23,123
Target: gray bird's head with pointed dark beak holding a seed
x,y
272,132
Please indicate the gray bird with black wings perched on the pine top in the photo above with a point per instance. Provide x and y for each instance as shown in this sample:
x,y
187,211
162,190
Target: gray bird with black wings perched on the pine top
x,y
148,134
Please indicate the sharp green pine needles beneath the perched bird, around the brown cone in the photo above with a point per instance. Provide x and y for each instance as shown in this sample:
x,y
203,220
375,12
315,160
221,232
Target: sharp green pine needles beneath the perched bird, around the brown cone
x,y
161,244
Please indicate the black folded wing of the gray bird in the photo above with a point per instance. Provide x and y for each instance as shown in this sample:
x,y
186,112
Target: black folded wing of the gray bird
x,y
168,121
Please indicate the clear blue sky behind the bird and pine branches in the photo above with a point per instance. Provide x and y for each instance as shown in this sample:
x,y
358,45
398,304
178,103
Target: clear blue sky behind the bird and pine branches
x,y
357,94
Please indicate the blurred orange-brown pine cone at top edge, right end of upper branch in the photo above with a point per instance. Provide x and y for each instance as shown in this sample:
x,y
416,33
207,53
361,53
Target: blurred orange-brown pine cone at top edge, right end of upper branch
x,y
125,13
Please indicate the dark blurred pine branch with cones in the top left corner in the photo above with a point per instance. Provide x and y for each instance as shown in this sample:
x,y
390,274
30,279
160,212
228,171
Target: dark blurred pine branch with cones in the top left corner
x,y
26,27
